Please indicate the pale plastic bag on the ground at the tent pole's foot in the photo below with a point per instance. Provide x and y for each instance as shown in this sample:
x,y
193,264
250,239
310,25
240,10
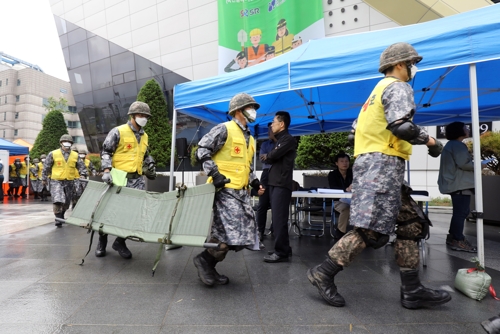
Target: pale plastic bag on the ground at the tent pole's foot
x,y
473,283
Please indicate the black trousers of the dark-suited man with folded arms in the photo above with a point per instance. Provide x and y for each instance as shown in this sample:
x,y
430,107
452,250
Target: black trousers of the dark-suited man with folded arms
x,y
280,204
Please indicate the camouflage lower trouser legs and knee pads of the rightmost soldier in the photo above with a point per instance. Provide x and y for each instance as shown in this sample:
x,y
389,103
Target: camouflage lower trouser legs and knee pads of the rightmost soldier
x,y
406,251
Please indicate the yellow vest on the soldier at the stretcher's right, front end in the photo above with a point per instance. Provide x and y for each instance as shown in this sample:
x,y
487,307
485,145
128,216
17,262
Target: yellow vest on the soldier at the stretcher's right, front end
x,y
234,158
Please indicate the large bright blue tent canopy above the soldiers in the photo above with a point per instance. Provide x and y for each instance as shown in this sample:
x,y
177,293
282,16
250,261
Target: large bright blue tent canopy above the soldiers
x,y
324,83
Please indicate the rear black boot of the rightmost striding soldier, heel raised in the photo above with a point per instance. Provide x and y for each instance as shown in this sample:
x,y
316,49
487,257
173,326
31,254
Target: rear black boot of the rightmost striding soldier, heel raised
x,y
322,276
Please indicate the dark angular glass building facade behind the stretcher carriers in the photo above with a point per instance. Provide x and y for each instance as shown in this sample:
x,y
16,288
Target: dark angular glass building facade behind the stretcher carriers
x,y
106,78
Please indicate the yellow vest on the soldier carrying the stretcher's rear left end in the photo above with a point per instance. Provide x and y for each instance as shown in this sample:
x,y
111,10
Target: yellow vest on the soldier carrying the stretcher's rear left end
x,y
129,154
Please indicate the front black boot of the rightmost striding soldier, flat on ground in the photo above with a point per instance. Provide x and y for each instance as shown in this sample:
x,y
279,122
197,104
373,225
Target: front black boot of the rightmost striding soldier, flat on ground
x,y
415,295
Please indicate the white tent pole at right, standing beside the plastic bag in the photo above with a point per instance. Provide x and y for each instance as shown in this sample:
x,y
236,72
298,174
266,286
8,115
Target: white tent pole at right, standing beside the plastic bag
x,y
477,161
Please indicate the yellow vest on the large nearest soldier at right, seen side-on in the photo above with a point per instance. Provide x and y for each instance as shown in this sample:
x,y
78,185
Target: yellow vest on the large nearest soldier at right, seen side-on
x,y
371,130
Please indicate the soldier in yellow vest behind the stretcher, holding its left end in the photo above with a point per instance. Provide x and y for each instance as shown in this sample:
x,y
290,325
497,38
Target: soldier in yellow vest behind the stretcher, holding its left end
x,y
126,148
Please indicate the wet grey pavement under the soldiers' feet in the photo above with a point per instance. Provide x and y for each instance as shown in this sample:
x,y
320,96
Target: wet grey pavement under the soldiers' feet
x,y
45,290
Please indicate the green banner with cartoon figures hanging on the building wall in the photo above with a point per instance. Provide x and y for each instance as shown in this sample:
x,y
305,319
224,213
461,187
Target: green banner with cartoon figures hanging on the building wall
x,y
254,31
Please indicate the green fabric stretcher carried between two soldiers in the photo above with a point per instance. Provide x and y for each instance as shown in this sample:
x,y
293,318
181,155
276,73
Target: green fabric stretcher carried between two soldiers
x,y
182,217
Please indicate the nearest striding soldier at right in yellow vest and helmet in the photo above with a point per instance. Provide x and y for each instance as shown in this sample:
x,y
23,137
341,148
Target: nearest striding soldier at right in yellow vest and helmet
x,y
384,135
